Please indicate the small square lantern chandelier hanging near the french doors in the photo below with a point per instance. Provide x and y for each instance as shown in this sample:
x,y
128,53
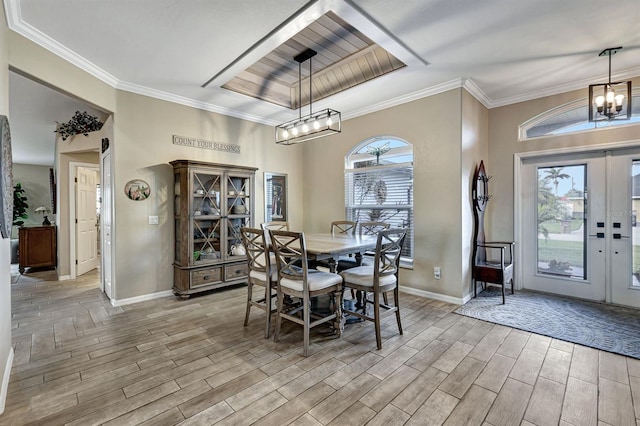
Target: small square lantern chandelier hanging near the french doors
x,y
610,101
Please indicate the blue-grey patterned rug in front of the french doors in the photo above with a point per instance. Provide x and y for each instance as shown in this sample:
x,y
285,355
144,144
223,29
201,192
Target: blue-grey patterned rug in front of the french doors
x,y
598,325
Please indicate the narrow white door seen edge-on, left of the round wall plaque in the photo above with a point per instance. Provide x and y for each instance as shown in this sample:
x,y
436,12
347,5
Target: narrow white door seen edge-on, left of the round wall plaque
x,y
105,228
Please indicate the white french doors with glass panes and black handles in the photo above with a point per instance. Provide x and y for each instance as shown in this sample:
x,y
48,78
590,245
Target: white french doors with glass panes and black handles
x,y
580,234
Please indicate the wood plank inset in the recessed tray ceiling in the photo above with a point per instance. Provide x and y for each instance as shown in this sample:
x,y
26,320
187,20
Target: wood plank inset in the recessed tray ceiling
x,y
345,58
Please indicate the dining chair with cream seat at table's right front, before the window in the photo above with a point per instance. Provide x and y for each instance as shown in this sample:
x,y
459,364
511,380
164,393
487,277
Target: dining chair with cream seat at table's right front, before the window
x,y
378,279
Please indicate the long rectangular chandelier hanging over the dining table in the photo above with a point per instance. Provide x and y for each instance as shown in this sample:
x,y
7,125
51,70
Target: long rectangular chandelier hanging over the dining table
x,y
313,125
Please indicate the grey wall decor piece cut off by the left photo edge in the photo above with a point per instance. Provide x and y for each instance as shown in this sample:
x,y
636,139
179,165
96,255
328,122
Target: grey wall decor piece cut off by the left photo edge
x,y
6,179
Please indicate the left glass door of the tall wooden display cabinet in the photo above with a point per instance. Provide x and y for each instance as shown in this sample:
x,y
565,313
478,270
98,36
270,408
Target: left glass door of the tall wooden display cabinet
x,y
207,217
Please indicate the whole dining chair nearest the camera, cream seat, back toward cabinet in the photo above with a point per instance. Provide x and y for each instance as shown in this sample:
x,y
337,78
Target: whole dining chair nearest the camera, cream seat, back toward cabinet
x,y
304,283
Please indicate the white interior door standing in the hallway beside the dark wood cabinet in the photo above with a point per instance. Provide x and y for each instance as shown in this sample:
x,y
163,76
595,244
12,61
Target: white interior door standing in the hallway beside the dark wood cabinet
x,y
86,232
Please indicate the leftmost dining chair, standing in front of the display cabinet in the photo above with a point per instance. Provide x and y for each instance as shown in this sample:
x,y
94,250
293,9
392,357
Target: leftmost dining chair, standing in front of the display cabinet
x,y
262,272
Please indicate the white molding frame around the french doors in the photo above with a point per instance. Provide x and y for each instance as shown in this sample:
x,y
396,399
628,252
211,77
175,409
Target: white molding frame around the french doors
x,y
518,159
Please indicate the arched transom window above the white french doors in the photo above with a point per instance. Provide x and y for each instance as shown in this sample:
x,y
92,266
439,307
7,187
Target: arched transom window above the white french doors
x,y
572,118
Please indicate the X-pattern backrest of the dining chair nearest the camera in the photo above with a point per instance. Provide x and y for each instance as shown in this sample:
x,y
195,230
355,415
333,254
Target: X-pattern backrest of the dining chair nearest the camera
x,y
291,255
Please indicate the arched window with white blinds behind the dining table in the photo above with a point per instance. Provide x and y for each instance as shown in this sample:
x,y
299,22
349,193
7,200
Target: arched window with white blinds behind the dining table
x,y
379,185
